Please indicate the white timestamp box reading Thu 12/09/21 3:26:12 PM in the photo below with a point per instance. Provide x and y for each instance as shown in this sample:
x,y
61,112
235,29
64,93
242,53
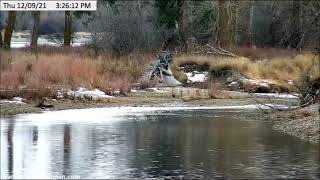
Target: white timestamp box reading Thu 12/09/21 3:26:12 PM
x,y
48,5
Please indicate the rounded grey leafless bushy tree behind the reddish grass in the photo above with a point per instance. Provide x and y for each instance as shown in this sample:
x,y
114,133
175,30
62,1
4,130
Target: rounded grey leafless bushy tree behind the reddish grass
x,y
126,30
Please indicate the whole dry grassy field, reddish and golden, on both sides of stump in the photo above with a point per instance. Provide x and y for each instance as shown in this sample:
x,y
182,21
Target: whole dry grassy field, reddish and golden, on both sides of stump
x,y
57,68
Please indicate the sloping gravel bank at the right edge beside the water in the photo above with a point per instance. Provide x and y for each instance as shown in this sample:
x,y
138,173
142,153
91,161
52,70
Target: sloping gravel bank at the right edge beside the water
x,y
303,123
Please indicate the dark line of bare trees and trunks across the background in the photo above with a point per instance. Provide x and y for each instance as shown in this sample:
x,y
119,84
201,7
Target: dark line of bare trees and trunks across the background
x,y
228,23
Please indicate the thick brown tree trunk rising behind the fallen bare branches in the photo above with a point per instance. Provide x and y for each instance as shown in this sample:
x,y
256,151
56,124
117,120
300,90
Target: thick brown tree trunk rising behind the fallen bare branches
x,y
226,34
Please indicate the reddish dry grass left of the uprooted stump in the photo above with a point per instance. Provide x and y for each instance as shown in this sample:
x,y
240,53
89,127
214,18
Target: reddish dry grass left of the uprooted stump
x,y
22,69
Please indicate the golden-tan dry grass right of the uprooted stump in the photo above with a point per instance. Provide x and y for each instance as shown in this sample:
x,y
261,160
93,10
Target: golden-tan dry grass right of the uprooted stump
x,y
279,69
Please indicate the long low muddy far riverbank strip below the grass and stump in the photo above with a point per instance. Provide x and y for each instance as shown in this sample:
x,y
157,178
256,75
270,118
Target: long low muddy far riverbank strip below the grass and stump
x,y
183,96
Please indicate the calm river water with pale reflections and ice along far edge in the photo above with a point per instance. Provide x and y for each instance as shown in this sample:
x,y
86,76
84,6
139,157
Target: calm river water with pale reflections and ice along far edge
x,y
152,143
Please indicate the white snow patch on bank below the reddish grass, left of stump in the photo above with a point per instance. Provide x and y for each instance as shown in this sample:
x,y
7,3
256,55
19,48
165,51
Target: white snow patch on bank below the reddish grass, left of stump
x,y
85,93
